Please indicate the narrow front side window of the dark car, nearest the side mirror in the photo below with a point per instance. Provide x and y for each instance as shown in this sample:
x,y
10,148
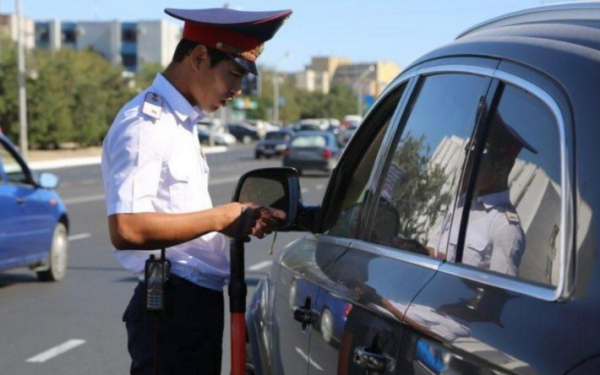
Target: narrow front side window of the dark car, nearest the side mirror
x,y
355,191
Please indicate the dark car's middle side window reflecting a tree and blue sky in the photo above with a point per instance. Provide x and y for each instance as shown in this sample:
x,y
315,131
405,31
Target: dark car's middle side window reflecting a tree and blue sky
x,y
422,179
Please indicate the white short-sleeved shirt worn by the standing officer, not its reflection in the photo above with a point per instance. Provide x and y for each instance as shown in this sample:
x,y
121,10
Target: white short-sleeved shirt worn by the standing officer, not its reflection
x,y
155,165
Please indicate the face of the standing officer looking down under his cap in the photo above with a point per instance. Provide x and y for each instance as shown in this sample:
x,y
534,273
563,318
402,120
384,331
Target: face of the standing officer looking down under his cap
x,y
213,87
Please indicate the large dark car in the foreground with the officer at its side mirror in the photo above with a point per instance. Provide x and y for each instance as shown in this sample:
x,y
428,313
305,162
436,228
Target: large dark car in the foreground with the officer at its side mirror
x,y
459,223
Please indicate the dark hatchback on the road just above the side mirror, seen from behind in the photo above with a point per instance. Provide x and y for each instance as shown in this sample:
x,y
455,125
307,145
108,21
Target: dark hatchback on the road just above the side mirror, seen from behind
x,y
312,150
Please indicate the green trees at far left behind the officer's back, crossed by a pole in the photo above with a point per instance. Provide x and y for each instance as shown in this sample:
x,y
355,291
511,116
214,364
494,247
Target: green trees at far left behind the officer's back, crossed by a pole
x,y
72,96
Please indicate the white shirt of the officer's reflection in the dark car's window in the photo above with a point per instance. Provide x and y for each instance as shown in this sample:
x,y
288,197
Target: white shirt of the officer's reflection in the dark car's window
x,y
494,238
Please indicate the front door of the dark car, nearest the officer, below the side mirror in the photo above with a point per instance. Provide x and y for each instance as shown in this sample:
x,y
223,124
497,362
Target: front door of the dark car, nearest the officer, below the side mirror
x,y
302,265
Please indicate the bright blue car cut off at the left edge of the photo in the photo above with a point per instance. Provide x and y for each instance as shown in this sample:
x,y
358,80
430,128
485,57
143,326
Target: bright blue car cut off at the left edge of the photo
x,y
33,219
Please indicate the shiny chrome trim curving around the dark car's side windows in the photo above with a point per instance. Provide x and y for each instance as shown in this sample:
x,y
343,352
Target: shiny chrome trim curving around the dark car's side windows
x,y
519,286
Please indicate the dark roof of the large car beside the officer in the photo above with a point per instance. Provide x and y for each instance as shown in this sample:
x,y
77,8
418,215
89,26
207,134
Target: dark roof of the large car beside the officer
x,y
550,40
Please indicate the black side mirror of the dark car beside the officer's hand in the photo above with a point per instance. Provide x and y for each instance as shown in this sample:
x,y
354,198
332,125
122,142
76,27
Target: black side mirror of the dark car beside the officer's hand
x,y
273,187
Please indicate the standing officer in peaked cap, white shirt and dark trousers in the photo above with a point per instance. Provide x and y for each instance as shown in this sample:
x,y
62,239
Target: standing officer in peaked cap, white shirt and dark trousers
x,y
156,186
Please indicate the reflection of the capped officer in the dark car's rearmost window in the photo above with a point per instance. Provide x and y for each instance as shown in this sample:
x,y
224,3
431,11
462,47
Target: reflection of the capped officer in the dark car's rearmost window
x,y
495,238
